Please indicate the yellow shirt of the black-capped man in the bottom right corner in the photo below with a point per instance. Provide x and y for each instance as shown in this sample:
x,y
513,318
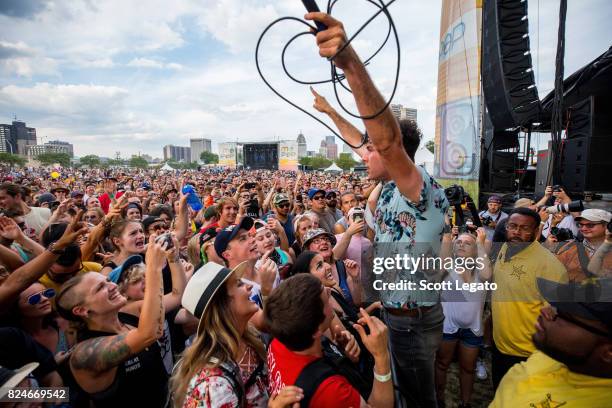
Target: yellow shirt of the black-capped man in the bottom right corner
x,y
541,382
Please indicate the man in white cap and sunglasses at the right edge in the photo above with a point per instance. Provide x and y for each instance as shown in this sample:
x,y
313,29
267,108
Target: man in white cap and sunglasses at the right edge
x,y
576,255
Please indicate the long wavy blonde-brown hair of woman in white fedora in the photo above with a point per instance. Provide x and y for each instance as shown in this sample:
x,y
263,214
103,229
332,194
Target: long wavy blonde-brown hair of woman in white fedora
x,y
219,339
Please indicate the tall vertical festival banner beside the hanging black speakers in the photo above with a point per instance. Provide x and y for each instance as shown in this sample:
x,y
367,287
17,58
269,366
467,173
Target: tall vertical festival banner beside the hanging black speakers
x,y
458,112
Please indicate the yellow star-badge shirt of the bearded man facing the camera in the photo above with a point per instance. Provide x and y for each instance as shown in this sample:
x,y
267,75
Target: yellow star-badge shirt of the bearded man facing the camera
x,y
516,303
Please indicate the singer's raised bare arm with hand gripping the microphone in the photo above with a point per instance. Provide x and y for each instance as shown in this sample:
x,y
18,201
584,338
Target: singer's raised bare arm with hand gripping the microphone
x,y
384,129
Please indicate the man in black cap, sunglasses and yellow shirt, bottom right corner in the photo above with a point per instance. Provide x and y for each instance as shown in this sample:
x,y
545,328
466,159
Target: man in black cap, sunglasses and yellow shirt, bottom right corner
x,y
573,362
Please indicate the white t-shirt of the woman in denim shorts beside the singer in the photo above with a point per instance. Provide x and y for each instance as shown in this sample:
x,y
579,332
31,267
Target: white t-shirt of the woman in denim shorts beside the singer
x,y
462,309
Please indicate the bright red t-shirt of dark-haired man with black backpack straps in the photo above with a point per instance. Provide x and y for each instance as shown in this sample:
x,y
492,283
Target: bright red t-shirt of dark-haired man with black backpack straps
x,y
284,366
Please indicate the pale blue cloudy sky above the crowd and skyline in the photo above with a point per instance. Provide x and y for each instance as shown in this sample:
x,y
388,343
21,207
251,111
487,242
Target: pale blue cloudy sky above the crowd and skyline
x,y
132,76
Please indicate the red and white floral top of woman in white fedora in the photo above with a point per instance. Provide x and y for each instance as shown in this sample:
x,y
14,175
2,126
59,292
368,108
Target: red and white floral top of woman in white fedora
x,y
211,387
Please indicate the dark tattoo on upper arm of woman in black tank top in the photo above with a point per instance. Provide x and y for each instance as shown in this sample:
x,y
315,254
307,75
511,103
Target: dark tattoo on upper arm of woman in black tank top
x,y
101,354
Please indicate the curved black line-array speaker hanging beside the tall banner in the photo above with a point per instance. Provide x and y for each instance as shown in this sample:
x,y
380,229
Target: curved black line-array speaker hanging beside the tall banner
x,y
509,87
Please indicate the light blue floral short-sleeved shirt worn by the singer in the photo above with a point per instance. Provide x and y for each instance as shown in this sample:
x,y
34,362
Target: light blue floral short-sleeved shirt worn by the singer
x,y
414,229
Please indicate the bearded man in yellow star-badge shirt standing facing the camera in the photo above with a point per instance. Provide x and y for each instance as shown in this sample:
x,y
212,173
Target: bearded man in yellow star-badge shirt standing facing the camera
x,y
516,302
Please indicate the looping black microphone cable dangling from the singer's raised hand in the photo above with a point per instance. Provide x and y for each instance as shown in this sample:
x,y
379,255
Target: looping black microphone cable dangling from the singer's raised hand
x,y
336,78
